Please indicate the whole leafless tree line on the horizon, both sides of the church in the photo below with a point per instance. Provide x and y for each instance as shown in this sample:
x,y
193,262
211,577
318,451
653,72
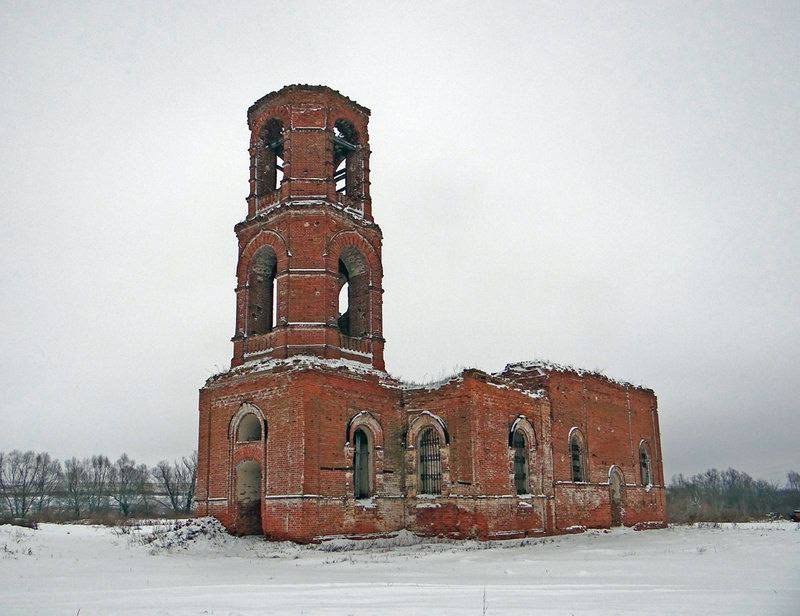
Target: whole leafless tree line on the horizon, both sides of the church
x,y
36,486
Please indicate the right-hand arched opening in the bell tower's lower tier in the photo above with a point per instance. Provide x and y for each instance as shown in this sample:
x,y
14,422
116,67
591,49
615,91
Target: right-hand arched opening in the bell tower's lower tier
x,y
354,302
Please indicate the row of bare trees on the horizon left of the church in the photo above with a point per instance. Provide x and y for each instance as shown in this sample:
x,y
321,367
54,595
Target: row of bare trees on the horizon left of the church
x,y
36,486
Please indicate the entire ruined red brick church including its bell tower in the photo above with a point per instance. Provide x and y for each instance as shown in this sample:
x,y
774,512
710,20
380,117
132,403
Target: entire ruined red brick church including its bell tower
x,y
306,436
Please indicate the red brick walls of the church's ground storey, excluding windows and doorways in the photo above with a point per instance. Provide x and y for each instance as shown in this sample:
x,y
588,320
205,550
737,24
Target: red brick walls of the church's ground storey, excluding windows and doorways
x,y
307,462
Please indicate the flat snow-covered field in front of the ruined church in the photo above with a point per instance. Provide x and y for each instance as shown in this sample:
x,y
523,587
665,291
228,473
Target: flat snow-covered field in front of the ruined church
x,y
71,569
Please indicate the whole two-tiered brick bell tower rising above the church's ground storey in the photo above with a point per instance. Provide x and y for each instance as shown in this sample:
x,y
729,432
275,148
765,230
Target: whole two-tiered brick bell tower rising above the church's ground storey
x,y
309,276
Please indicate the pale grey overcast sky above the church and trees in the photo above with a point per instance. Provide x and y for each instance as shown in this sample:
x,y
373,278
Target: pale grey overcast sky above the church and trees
x,y
613,186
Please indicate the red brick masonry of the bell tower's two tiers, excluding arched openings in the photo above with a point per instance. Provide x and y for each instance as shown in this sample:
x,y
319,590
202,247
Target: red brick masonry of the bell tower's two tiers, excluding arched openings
x,y
308,224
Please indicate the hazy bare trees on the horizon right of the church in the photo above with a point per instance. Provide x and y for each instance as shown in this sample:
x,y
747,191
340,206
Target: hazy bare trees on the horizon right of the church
x,y
730,496
